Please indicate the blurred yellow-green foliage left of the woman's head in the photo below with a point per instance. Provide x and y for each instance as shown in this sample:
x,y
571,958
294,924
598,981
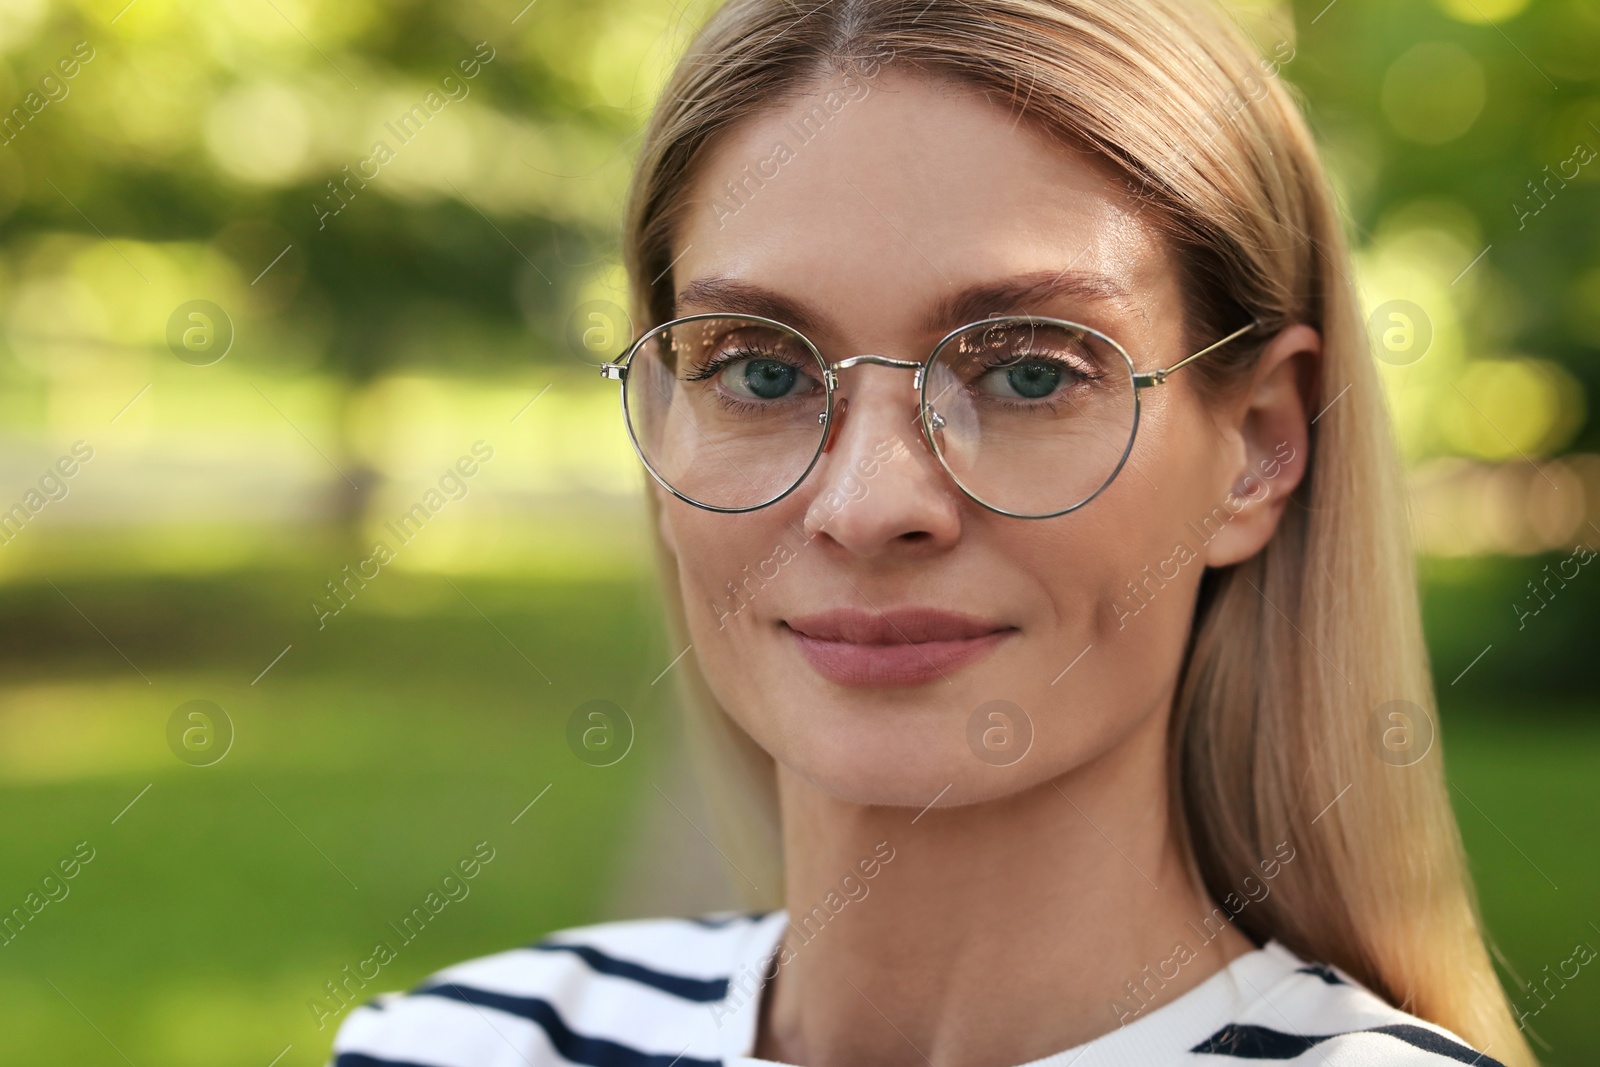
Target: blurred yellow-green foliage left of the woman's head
x,y
207,132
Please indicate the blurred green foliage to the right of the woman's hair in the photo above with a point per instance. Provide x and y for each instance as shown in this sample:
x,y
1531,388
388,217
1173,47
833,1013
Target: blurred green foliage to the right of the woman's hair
x,y
1450,138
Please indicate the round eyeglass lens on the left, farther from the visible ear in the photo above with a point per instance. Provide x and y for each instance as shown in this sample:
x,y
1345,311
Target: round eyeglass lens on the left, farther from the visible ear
x,y
727,410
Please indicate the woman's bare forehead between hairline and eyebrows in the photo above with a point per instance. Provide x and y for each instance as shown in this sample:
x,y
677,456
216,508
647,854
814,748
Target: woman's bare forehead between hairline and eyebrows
x,y
878,201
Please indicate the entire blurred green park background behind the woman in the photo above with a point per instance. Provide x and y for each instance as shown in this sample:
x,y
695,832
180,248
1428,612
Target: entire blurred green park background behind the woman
x,y
460,297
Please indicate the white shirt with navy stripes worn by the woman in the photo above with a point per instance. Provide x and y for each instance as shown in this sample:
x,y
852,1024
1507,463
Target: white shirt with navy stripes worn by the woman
x,y
686,993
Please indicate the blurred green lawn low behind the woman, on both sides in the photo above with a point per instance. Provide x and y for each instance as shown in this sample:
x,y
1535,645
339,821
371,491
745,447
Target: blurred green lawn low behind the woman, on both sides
x,y
383,749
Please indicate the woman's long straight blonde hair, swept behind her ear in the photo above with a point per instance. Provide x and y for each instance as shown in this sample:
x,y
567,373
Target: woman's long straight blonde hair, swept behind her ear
x,y
1294,652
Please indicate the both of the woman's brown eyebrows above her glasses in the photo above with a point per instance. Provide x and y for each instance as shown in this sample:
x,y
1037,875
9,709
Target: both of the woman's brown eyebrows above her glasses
x,y
1023,294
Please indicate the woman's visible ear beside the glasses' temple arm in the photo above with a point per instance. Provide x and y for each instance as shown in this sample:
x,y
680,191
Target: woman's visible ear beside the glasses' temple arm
x,y
1270,426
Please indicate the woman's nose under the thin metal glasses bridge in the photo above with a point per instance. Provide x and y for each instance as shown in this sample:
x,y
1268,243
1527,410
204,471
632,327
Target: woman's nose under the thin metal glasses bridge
x,y
878,487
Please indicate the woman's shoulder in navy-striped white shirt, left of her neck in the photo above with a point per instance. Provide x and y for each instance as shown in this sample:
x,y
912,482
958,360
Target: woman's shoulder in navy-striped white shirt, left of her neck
x,y
634,994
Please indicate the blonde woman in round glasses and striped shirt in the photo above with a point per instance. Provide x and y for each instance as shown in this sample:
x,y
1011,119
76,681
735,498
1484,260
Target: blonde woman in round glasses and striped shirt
x,y
1025,489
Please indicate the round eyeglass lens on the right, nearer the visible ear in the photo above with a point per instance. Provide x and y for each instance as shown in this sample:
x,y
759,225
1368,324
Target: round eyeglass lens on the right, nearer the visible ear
x,y
1033,417
